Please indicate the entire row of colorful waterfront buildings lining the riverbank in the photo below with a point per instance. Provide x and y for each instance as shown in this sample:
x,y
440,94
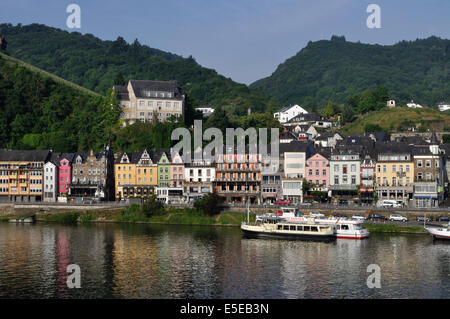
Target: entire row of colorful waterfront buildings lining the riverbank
x,y
357,168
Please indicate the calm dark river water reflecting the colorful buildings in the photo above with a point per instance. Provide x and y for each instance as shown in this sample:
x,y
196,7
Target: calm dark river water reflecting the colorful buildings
x,y
155,261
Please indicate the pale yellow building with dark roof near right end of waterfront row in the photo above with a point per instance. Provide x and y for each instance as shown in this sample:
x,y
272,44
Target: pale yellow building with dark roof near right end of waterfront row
x,y
395,173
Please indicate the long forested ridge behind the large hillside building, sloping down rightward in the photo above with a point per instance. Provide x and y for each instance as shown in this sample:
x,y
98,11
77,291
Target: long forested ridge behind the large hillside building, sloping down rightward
x,y
97,65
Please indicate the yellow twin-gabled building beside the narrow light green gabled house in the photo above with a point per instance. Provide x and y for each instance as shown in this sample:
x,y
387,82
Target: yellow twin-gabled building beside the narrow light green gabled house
x,y
135,175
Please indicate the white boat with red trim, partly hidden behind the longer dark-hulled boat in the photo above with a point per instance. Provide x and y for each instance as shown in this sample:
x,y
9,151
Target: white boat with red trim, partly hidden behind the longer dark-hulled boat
x,y
345,228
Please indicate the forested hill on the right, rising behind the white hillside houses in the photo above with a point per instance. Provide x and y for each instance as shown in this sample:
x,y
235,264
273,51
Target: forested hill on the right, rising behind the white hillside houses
x,y
334,70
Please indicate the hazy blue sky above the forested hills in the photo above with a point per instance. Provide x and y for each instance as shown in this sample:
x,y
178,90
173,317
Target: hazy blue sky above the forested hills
x,y
242,39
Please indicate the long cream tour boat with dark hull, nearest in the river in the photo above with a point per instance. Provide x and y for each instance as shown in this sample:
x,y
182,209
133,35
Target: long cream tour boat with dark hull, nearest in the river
x,y
274,226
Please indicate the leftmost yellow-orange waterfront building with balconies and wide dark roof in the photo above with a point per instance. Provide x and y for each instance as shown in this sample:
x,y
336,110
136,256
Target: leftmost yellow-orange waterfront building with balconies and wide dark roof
x,y
21,175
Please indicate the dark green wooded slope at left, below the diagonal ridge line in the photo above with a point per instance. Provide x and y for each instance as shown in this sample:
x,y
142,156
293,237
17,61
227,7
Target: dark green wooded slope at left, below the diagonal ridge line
x,y
41,111
